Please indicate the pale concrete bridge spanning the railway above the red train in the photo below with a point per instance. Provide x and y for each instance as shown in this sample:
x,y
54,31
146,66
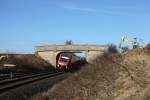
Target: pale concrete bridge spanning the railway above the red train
x,y
50,52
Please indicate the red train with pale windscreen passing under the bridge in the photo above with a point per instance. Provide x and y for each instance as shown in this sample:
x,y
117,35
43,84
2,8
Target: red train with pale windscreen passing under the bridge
x,y
65,60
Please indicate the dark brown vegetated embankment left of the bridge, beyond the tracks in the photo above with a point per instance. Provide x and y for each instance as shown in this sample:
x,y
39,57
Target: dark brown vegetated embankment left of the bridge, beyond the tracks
x,y
26,63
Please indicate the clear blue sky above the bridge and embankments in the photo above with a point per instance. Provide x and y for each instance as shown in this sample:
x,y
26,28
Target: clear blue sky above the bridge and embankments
x,y
28,23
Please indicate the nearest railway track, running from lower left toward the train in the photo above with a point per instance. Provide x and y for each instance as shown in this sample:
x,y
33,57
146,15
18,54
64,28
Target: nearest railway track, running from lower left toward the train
x,y
7,85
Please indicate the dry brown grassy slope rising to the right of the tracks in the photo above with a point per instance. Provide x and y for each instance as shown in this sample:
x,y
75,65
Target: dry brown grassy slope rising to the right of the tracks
x,y
111,77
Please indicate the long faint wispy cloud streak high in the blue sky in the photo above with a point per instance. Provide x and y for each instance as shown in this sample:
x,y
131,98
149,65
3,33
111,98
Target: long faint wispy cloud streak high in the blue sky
x,y
109,11
